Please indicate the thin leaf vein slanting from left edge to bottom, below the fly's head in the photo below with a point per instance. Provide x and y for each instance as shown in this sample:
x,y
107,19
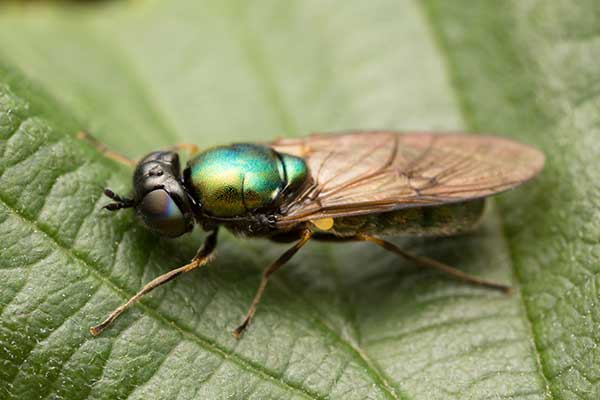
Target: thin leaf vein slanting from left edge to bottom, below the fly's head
x,y
204,343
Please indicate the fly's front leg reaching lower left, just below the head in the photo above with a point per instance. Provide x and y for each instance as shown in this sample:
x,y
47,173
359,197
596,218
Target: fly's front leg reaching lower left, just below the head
x,y
202,257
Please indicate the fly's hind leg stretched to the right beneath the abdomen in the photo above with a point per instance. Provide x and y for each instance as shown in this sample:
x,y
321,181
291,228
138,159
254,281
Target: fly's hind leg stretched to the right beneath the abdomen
x,y
431,263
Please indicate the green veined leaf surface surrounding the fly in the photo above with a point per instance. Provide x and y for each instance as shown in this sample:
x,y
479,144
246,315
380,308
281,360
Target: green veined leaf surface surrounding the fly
x,y
343,321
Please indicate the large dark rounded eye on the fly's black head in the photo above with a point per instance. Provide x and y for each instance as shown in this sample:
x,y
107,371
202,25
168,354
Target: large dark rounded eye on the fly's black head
x,y
160,213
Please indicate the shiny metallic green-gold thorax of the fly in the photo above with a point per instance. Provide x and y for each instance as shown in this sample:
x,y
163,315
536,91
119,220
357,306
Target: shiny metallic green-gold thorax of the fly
x,y
231,181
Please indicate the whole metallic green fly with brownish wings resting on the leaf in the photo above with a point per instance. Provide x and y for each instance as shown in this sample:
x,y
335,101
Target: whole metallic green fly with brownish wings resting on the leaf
x,y
354,186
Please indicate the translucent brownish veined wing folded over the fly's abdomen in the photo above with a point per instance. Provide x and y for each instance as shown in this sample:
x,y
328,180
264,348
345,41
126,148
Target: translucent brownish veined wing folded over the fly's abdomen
x,y
358,173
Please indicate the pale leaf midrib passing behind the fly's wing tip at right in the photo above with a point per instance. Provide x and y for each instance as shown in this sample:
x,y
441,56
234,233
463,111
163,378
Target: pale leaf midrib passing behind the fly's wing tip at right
x,y
466,111
